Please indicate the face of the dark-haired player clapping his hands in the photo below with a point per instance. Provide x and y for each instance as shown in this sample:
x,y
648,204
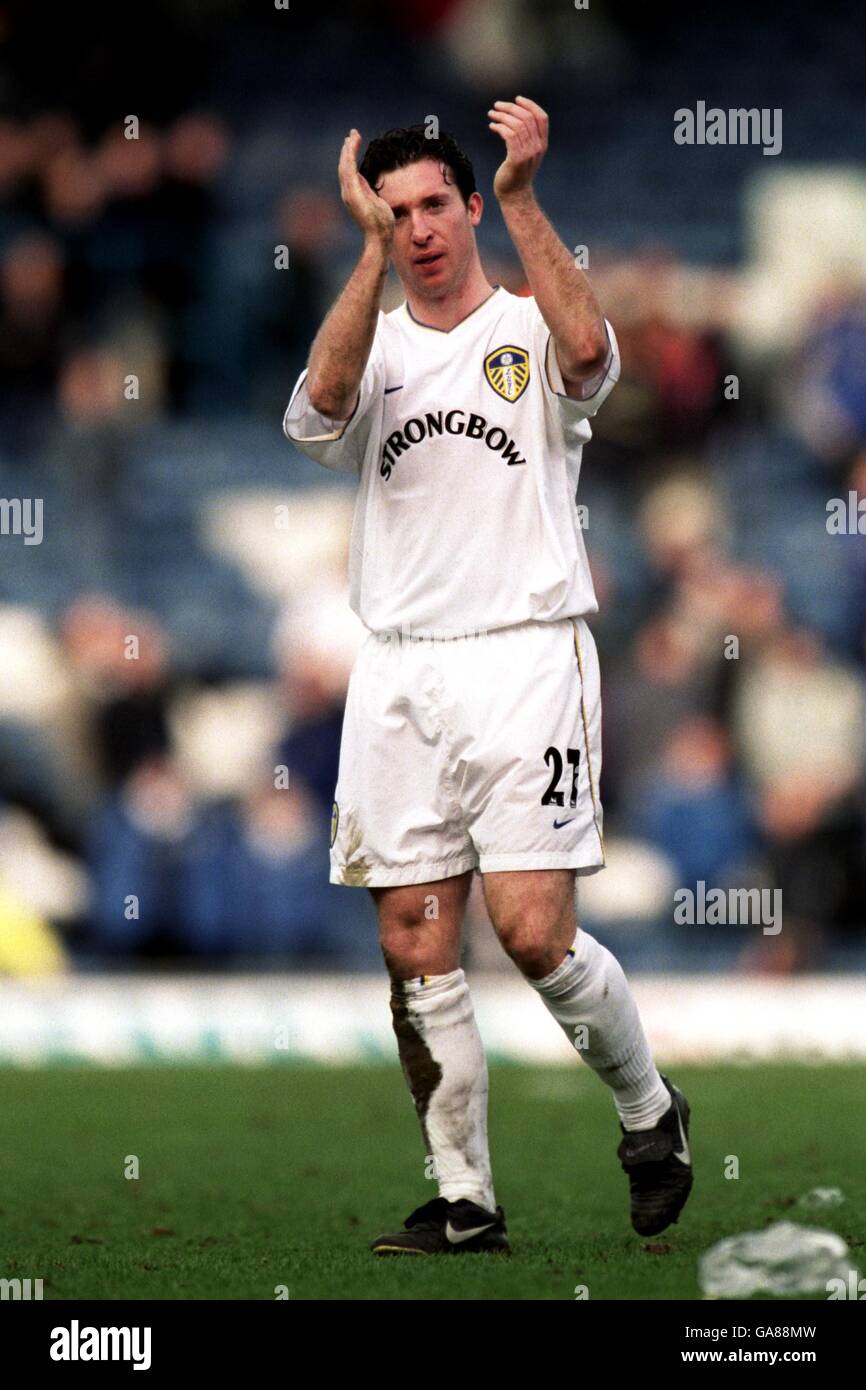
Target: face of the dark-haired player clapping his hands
x,y
434,240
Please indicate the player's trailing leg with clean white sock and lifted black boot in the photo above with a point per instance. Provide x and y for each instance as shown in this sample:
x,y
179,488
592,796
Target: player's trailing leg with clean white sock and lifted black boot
x,y
586,990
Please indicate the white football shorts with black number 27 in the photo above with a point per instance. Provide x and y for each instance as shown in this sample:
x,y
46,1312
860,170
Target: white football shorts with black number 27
x,y
472,753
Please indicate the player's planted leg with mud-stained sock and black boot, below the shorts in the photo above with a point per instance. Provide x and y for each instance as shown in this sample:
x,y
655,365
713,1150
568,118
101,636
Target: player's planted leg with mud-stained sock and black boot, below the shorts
x,y
444,1064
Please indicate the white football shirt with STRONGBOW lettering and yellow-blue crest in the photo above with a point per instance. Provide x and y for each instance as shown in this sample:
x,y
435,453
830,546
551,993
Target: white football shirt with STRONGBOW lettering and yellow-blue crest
x,y
468,452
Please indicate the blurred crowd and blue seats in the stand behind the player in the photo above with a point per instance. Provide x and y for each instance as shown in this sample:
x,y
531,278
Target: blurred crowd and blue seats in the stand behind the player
x,y
172,698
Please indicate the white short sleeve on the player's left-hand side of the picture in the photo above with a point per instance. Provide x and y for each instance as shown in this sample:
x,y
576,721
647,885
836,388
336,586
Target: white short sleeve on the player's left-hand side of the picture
x,y
337,444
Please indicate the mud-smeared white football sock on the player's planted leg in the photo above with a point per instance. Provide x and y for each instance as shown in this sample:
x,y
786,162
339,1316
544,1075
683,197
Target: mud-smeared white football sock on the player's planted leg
x,y
446,1067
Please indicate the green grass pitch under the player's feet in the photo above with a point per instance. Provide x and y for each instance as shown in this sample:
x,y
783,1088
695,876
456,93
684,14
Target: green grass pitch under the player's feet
x,y
256,1178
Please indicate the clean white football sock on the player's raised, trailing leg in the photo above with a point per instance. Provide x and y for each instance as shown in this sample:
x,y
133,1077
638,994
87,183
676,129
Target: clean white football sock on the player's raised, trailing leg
x,y
590,990
